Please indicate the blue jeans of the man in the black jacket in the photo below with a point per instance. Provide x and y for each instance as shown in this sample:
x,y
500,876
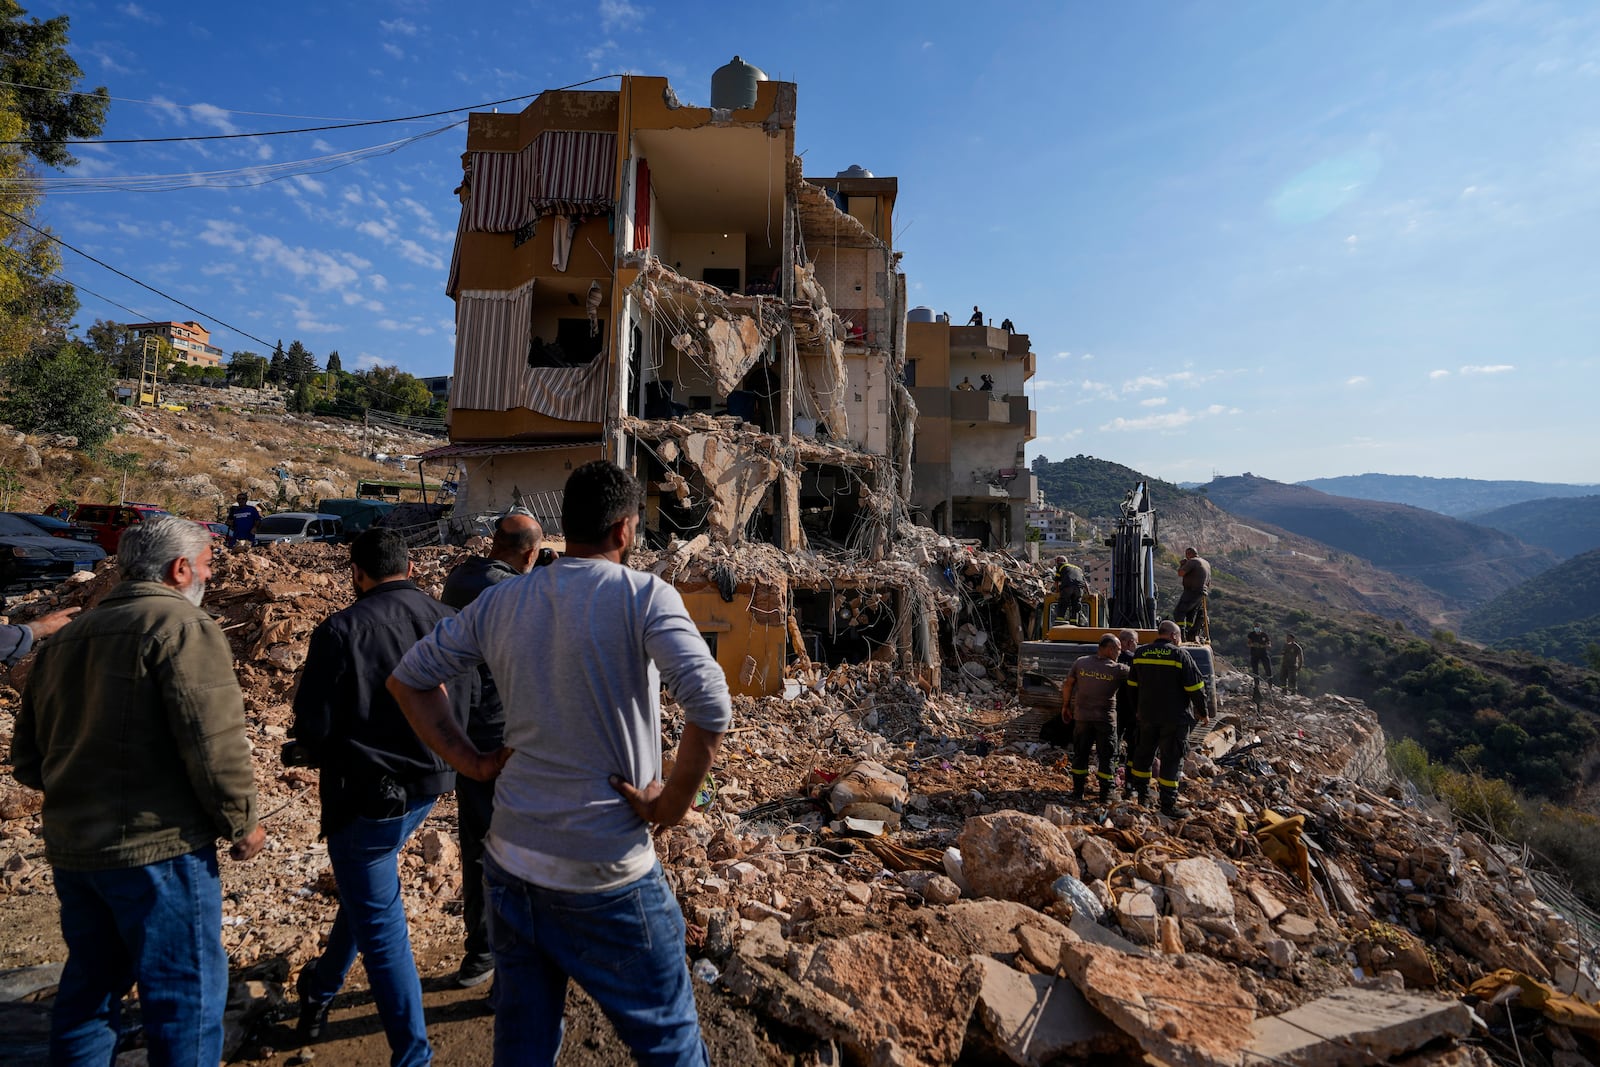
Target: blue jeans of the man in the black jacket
x,y
372,922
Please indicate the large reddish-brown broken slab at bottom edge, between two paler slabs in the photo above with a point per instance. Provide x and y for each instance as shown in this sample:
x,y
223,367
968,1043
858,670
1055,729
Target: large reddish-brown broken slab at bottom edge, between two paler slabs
x,y
1186,1012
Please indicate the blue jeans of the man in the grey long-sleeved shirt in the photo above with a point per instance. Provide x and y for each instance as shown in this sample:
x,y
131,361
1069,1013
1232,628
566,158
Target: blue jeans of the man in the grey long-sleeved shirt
x,y
625,948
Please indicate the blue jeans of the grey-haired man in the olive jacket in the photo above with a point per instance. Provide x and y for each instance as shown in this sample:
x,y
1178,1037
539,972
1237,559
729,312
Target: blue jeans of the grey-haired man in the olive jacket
x,y
161,927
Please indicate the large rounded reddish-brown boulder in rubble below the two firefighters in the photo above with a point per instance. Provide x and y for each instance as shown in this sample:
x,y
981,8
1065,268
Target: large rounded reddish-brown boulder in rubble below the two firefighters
x,y
1015,857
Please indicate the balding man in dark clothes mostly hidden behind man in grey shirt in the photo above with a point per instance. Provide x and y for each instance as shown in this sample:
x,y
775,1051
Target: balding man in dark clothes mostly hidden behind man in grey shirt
x,y
513,553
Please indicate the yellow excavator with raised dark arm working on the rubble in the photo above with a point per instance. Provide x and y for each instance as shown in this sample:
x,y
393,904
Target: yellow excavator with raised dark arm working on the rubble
x,y
1044,665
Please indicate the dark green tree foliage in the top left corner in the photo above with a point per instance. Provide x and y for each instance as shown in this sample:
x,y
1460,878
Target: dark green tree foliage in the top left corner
x,y
34,55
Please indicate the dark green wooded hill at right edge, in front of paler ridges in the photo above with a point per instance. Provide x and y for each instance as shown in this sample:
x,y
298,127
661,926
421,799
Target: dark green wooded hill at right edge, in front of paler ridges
x,y
1556,613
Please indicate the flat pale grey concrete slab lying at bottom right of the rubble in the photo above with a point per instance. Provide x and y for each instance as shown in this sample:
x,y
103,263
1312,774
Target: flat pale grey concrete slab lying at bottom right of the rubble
x,y
1358,1026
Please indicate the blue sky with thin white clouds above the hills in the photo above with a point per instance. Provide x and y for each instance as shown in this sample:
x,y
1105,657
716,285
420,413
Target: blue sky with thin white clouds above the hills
x,y
1287,239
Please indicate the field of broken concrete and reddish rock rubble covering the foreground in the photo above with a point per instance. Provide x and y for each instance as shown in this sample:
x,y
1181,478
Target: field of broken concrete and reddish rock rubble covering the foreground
x,y
1310,913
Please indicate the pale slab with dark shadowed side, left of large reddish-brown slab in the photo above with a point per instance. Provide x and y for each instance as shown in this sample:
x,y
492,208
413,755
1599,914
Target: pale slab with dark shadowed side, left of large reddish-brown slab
x,y
1038,1020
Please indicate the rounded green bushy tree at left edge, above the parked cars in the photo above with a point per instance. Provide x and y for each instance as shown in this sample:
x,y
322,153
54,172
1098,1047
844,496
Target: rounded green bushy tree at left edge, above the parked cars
x,y
60,390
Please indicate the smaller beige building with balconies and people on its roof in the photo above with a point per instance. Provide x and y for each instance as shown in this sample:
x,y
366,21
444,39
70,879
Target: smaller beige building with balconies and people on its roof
x,y
970,478
